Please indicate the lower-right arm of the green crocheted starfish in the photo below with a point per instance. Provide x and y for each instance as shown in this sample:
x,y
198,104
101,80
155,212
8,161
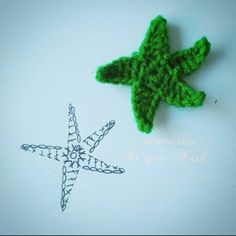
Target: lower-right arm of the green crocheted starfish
x,y
182,95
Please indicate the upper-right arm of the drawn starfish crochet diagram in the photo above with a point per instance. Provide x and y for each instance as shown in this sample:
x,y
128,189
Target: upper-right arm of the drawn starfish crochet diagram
x,y
94,139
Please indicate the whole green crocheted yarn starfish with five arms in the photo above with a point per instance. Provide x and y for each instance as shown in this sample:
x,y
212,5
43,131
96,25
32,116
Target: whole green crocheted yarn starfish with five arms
x,y
154,74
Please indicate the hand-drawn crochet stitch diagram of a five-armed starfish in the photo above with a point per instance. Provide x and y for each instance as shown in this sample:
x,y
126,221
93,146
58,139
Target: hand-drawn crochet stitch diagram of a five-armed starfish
x,y
75,156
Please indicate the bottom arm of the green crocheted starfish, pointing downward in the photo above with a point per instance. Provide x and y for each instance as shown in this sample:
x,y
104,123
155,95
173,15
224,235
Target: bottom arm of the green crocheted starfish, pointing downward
x,y
144,103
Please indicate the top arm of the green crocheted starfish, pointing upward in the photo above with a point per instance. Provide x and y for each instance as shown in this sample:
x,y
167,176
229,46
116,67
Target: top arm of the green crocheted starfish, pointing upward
x,y
155,44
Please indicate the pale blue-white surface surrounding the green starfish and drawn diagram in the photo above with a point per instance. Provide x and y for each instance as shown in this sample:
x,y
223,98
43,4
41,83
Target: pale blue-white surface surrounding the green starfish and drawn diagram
x,y
179,179
